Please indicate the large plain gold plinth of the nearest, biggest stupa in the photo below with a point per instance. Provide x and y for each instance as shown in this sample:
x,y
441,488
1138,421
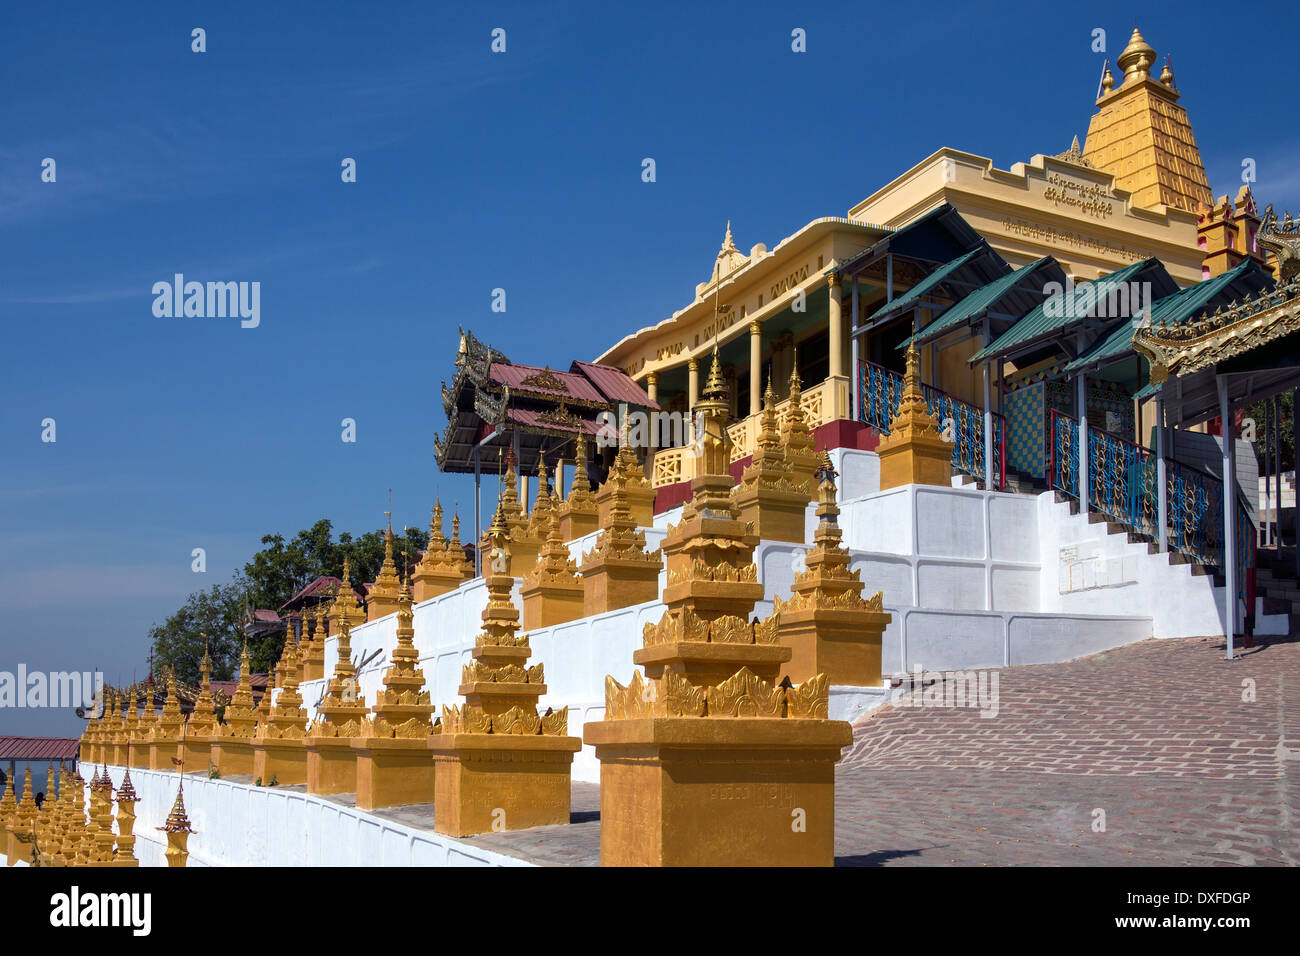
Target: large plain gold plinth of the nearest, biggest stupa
x,y
688,791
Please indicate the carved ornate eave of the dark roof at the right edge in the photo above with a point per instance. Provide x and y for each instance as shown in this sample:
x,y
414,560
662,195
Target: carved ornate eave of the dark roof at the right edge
x,y
1241,328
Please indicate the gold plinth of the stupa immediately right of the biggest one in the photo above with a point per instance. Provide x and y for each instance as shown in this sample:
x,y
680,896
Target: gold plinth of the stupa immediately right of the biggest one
x,y
843,644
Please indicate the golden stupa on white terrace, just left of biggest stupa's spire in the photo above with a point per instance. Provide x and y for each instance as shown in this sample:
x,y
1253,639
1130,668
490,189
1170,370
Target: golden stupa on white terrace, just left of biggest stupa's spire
x,y
619,572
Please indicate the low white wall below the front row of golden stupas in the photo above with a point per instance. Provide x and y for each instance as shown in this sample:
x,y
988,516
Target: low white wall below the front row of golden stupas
x,y
241,825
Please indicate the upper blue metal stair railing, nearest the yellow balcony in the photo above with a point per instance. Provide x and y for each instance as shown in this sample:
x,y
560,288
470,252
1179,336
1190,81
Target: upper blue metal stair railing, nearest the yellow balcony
x,y
882,391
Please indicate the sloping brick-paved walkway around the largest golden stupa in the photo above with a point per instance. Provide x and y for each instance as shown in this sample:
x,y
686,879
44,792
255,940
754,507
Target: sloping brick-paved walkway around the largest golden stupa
x,y
1156,736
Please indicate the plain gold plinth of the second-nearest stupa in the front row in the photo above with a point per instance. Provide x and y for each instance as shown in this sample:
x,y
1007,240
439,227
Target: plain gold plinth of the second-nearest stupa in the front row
x,y
489,782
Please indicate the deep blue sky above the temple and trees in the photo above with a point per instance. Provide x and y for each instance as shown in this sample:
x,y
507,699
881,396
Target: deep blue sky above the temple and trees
x,y
475,171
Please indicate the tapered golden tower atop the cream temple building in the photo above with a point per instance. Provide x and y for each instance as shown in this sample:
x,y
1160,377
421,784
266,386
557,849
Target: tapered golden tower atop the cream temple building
x,y
1142,136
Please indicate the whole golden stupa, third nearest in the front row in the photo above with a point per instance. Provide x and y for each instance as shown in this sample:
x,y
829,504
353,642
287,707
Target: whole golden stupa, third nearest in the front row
x,y
393,764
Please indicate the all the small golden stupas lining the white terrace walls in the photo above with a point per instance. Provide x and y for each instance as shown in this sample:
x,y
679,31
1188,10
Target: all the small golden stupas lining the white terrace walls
x,y
723,751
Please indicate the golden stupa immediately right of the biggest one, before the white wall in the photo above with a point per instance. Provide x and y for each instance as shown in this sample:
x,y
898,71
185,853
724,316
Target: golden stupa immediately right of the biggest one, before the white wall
x,y
827,625
